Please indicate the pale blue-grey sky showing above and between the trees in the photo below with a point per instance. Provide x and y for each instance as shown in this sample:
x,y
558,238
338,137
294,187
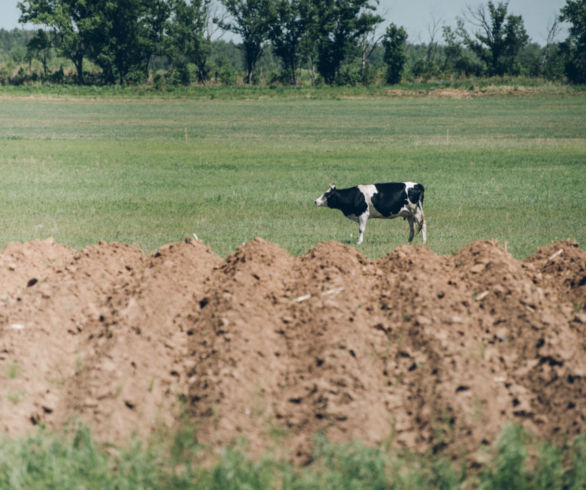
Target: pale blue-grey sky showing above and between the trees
x,y
417,16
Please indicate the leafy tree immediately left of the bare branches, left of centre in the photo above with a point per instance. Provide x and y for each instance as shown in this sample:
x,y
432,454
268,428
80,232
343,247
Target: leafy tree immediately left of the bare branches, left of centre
x,y
188,40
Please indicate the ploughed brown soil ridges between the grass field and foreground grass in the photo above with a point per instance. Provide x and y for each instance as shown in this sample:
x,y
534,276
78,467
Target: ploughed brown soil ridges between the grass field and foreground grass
x,y
427,352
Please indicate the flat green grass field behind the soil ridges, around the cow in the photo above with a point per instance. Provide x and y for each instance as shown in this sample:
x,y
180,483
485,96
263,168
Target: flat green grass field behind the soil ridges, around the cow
x,y
149,171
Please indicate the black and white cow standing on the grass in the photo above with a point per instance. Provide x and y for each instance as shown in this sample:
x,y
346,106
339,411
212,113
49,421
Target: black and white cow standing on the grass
x,y
388,200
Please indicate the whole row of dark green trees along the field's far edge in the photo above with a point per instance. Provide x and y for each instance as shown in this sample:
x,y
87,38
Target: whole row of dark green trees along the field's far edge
x,y
335,41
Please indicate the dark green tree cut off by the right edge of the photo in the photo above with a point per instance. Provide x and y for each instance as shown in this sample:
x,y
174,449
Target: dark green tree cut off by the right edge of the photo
x,y
574,48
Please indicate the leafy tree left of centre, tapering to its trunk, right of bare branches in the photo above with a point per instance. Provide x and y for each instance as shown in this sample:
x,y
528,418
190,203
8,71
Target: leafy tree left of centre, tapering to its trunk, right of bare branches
x,y
250,21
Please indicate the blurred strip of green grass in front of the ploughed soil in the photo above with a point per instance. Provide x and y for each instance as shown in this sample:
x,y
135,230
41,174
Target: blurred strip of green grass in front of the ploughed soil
x,y
74,459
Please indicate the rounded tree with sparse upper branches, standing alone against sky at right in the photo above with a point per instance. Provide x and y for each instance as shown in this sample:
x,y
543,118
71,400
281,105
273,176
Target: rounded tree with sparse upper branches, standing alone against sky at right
x,y
499,39
